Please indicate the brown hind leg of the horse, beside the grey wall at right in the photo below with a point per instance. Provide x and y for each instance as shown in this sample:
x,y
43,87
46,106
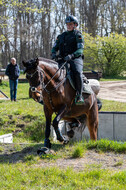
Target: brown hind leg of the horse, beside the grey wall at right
x,y
92,120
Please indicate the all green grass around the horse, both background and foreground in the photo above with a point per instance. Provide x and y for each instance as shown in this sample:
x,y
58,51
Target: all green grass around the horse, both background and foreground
x,y
20,167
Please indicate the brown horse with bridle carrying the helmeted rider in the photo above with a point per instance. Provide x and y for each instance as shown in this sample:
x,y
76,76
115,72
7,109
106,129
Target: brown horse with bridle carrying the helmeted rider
x,y
59,96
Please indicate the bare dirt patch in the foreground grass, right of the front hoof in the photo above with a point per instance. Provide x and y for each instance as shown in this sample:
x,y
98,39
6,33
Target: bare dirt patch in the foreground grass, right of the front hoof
x,y
91,159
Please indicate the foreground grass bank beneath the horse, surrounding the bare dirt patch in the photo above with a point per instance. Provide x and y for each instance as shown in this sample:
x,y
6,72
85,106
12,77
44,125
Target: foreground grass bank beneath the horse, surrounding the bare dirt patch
x,y
23,170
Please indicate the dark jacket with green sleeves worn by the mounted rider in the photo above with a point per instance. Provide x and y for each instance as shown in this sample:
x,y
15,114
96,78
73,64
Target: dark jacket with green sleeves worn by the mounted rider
x,y
69,42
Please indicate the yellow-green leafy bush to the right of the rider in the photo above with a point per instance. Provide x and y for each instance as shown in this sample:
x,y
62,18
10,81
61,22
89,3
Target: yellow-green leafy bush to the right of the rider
x,y
107,54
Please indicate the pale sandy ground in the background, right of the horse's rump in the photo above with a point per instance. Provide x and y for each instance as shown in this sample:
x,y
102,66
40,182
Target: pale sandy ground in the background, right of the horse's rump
x,y
113,90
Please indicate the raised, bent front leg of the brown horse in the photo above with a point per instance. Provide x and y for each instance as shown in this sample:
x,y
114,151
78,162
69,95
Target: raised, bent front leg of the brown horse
x,y
56,120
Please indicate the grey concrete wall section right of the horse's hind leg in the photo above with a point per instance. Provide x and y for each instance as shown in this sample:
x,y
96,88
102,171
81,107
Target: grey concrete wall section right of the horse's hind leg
x,y
112,125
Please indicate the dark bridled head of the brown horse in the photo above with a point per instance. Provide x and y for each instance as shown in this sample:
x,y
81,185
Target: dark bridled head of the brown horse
x,y
32,71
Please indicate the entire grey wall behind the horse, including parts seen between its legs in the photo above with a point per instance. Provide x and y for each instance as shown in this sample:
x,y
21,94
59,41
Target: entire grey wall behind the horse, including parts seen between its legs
x,y
112,126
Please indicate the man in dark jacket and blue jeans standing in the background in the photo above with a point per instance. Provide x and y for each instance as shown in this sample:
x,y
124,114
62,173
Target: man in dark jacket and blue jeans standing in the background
x,y
13,72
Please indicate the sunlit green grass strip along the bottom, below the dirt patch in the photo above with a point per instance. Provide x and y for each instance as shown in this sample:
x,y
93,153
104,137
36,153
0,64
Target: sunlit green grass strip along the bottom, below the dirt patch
x,y
30,177
